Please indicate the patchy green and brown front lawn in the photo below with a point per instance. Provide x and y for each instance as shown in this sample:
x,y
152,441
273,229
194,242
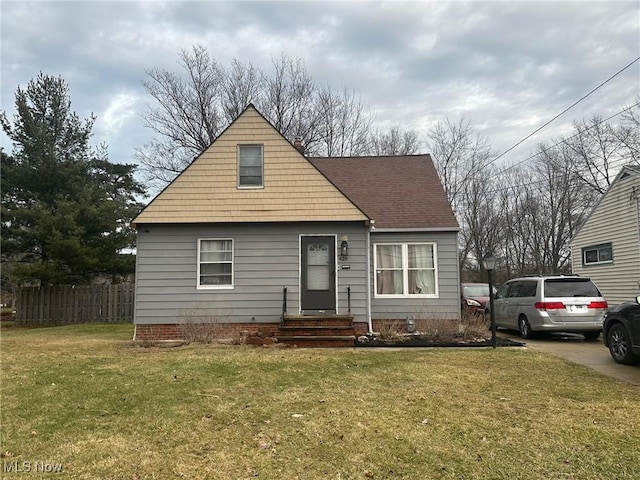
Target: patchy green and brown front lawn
x,y
87,399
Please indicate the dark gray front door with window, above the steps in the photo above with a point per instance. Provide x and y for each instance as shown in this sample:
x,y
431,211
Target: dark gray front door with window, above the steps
x,y
318,274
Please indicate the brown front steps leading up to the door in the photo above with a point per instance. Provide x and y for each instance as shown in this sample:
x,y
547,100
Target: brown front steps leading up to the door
x,y
327,330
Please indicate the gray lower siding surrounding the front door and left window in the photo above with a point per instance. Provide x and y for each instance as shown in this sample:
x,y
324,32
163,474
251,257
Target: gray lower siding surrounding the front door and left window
x,y
266,259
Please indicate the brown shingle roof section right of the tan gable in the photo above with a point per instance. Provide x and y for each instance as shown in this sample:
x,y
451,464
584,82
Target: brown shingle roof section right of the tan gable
x,y
402,192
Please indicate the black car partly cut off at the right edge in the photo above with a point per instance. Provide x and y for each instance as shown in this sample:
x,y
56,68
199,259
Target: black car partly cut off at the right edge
x,y
622,332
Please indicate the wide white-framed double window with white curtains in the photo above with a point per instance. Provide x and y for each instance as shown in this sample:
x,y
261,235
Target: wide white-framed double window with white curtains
x,y
405,269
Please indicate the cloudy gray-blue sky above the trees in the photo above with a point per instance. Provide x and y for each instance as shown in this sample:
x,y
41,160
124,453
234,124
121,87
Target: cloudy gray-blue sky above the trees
x,y
508,67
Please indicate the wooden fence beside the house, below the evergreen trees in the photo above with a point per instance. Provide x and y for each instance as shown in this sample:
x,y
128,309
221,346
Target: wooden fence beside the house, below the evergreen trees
x,y
67,304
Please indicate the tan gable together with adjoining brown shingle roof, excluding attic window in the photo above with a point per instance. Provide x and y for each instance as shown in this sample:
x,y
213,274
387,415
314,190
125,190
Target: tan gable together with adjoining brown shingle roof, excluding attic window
x,y
397,192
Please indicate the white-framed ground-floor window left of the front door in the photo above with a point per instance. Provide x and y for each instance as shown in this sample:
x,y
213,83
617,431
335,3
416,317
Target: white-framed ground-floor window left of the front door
x,y
215,263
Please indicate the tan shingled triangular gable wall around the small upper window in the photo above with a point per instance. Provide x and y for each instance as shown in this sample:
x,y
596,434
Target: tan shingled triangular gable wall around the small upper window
x,y
206,191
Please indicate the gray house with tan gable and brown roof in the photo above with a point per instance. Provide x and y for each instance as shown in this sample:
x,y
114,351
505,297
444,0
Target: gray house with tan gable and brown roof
x,y
253,234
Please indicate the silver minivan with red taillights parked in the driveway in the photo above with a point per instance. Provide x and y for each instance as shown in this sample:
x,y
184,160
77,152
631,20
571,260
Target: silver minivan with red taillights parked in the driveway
x,y
550,304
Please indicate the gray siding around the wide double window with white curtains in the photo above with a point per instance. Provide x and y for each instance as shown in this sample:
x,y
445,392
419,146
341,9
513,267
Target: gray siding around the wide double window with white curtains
x,y
447,305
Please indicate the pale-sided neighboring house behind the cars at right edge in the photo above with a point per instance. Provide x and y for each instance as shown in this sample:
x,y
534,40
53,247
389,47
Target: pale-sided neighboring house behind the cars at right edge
x,y
607,246
